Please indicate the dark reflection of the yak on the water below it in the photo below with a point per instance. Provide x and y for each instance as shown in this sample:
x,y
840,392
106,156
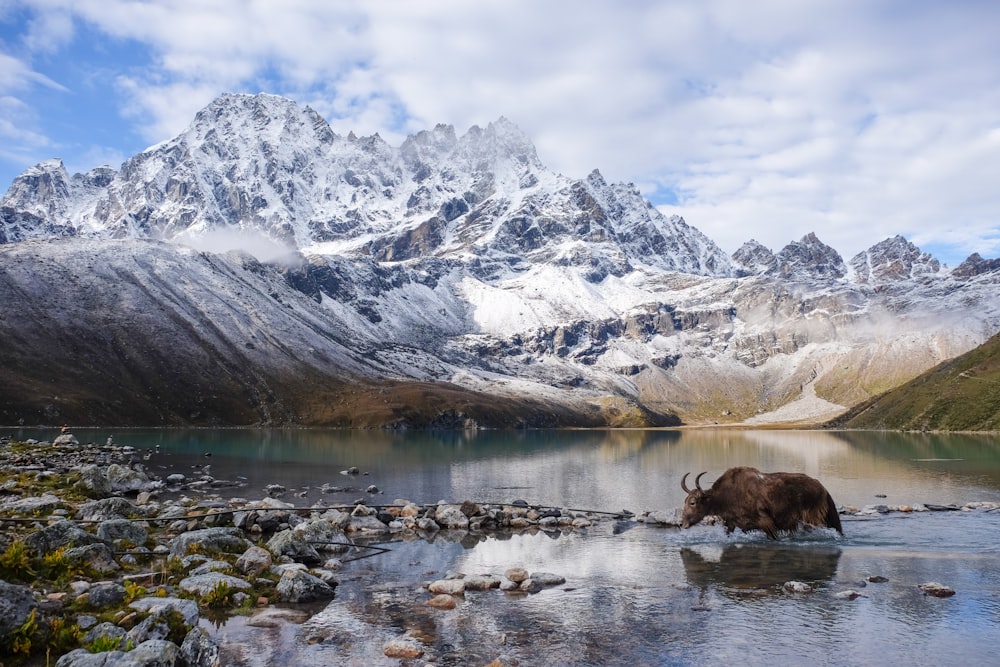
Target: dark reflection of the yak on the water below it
x,y
744,568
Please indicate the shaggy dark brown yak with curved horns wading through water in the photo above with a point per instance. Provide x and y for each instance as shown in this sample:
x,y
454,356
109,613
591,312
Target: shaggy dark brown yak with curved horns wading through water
x,y
748,499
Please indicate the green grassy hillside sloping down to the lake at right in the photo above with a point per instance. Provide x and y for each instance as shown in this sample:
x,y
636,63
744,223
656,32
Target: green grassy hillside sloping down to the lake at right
x,y
962,394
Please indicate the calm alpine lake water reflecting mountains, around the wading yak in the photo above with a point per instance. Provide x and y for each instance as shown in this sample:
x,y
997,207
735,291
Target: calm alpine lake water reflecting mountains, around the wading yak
x,y
635,593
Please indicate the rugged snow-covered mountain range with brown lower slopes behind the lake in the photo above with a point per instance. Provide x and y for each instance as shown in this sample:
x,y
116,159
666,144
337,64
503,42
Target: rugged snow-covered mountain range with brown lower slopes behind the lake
x,y
260,268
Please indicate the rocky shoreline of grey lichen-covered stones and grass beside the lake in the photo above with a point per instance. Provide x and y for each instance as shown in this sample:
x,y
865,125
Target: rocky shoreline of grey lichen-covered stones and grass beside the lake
x,y
98,569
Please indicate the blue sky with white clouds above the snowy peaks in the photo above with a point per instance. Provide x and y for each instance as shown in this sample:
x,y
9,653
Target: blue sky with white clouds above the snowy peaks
x,y
855,119
